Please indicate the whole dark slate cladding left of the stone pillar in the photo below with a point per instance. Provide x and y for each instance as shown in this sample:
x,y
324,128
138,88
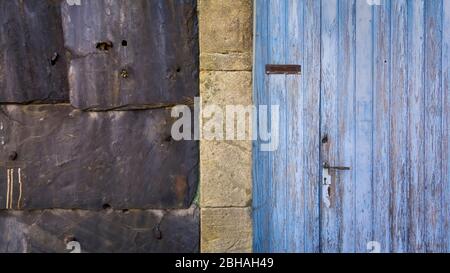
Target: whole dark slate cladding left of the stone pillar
x,y
73,167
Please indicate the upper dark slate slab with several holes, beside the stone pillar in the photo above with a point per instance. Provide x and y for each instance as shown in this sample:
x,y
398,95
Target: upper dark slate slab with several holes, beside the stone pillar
x,y
128,54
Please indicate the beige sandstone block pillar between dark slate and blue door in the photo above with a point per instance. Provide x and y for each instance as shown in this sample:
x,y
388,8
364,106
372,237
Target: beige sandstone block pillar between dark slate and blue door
x,y
226,32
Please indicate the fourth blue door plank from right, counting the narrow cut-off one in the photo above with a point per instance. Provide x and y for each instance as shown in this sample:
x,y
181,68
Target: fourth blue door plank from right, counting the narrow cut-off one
x,y
399,127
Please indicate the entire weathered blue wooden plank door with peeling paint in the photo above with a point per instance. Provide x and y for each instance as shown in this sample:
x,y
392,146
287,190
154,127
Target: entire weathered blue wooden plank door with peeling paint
x,y
364,131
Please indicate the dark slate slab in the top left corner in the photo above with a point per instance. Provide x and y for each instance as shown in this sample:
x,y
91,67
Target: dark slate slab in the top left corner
x,y
33,65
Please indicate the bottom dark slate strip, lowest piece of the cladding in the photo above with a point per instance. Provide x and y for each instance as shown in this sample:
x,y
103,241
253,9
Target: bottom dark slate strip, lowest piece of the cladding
x,y
65,231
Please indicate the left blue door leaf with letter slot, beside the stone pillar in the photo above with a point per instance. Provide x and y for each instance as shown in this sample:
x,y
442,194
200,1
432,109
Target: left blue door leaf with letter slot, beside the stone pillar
x,y
285,203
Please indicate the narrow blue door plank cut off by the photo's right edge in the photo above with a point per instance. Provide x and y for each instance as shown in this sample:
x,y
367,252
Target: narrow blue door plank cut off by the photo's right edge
x,y
446,122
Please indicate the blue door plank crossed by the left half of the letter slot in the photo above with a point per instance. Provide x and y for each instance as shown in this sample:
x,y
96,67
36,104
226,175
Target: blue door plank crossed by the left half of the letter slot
x,y
277,87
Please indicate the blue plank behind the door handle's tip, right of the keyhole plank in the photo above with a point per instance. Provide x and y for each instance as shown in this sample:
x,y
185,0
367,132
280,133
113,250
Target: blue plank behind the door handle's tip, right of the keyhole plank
x,y
345,138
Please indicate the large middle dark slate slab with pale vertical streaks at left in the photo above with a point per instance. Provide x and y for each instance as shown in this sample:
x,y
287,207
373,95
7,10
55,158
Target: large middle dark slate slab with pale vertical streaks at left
x,y
54,156
